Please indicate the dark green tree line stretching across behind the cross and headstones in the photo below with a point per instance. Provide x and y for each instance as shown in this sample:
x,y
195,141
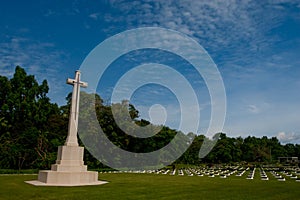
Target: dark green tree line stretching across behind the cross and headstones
x,y
32,127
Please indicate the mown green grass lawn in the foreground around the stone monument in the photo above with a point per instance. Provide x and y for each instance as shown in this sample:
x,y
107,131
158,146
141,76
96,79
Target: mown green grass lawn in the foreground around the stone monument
x,y
152,186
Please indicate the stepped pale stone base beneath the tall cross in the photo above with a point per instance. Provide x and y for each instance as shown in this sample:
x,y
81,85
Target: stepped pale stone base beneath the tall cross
x,y
69,170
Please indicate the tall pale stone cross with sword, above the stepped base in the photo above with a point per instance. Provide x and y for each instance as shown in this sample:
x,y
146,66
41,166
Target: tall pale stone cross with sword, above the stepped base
x,y
73,118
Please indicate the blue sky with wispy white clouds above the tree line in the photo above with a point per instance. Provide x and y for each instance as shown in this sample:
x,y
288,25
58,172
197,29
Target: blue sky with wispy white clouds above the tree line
x,y
255,45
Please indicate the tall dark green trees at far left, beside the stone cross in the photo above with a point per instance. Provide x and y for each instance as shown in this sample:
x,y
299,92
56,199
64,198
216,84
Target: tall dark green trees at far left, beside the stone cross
x,y
25,112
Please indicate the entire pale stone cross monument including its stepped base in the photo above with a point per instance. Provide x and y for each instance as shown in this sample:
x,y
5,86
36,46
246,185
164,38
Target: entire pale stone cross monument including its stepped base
x,y
69,169
